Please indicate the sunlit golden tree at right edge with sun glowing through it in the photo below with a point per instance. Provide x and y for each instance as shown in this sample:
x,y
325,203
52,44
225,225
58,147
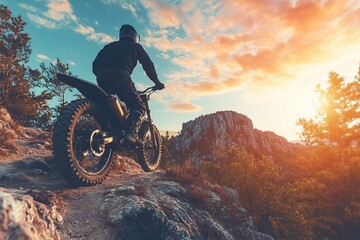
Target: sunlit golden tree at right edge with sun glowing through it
x,y
338,114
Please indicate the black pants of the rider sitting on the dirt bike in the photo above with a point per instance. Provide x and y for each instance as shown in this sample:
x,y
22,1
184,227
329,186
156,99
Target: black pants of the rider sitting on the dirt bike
x,y
122,85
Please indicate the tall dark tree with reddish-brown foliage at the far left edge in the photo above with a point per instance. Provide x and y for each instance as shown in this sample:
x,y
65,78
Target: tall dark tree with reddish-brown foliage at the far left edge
x,y
16,79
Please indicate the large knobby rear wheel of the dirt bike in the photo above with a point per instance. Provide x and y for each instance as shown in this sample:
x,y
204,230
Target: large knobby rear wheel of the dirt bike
x,y
79,152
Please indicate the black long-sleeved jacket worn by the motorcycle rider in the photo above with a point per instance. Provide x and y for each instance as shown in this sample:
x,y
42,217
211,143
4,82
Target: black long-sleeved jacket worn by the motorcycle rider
x,y
122,56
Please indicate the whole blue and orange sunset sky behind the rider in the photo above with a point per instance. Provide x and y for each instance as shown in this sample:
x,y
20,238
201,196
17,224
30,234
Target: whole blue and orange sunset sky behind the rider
x,y
261,58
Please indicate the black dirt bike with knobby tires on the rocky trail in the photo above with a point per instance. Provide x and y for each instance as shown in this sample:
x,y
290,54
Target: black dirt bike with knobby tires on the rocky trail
x,y
88,131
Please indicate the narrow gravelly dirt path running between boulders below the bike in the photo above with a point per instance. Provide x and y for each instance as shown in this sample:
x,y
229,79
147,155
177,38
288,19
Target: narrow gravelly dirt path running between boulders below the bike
x,y
82,212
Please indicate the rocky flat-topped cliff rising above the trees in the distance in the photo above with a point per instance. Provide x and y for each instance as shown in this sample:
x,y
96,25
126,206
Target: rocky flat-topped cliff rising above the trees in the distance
x,y
202,137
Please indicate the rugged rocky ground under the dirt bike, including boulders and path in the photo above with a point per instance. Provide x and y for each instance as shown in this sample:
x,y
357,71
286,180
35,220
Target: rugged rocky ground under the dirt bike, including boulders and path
x,y
37,203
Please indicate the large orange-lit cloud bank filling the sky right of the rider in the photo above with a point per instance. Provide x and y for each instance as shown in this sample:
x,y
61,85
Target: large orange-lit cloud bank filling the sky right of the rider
x,y
219,46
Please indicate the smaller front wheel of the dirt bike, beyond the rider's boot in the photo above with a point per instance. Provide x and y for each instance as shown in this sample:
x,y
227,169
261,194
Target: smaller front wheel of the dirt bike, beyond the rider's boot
x,y
149,155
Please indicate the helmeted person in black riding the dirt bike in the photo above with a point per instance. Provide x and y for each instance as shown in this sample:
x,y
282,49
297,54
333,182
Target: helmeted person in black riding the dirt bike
x,y
113,66
